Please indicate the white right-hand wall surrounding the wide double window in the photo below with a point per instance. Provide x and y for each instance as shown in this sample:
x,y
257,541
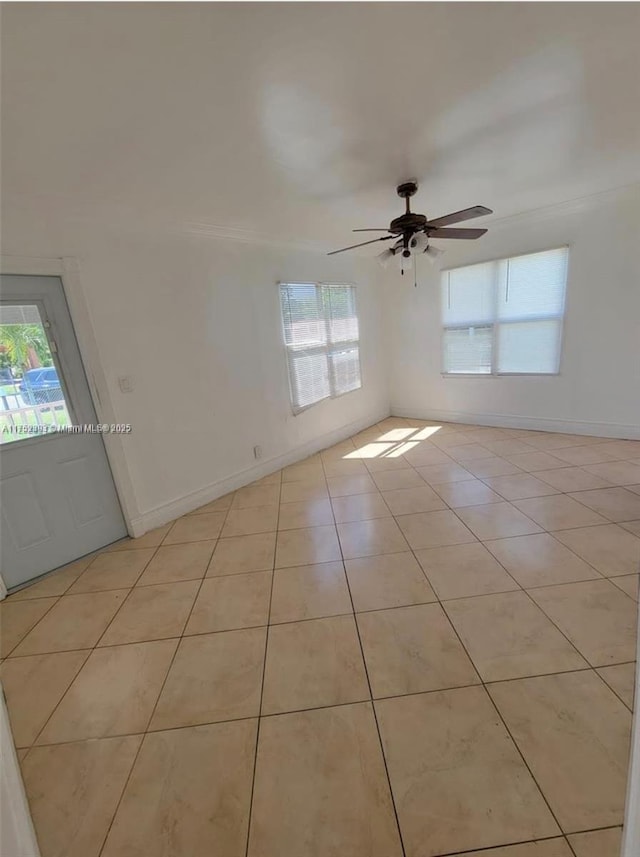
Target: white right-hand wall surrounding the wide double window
x,y
598,388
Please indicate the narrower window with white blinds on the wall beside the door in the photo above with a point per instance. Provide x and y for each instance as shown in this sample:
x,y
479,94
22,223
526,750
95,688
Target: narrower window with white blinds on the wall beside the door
x,y
321,336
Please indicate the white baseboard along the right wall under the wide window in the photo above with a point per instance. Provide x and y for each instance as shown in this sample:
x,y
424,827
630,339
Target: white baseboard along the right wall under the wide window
x,y
522,422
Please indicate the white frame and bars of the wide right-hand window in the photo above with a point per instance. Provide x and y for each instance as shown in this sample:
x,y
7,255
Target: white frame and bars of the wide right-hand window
x,y
495,322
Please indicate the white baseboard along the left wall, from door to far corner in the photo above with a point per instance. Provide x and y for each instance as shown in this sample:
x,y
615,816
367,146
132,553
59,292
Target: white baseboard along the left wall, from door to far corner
x,y
183,505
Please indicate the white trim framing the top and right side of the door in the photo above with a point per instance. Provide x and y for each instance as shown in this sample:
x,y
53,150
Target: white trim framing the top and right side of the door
x,y
68,270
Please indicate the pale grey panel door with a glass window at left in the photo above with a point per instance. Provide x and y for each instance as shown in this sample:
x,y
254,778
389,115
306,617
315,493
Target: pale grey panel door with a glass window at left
x,y
56,489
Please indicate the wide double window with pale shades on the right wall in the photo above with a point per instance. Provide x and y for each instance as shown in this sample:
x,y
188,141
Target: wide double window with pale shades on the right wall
x,y
505,317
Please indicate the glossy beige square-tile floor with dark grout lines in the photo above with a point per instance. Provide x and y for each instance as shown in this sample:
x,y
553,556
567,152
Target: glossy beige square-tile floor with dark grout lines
x,y
420,641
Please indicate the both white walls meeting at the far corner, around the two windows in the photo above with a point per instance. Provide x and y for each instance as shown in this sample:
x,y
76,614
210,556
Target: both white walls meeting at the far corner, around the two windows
x,y
195,321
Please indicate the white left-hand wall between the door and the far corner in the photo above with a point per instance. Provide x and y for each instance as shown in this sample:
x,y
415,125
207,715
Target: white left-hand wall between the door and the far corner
x,y
195,321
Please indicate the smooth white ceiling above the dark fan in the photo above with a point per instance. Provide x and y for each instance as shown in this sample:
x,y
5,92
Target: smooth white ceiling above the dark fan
x,y
299,119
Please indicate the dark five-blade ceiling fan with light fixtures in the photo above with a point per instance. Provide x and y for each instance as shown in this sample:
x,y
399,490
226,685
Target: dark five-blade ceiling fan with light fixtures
x,y
412,232
